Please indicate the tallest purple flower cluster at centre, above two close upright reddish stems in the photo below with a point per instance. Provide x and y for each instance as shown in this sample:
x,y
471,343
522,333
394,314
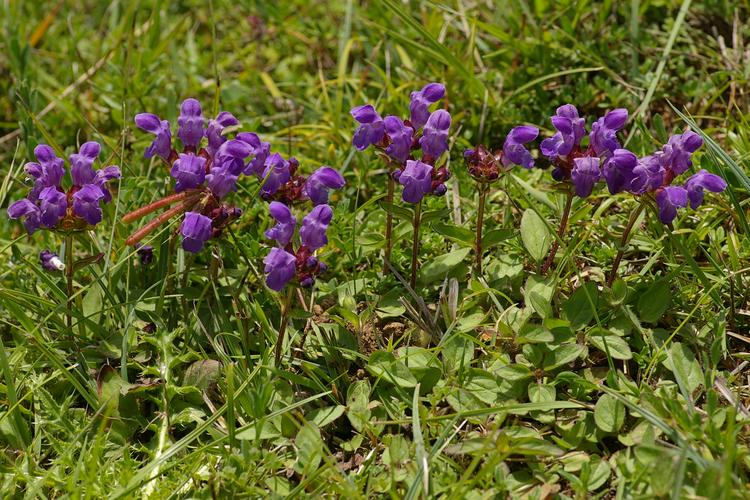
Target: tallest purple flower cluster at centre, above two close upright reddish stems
x,y
400,139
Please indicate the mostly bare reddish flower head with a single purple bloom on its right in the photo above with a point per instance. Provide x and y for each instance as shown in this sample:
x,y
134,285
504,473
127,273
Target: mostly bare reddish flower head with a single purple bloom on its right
x,y
486,166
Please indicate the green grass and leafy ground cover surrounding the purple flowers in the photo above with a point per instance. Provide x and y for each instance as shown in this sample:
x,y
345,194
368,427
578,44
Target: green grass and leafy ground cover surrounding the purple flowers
x,y
508,385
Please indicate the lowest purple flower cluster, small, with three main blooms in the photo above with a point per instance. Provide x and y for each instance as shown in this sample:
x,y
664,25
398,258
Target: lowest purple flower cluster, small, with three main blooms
x,y
283,263
